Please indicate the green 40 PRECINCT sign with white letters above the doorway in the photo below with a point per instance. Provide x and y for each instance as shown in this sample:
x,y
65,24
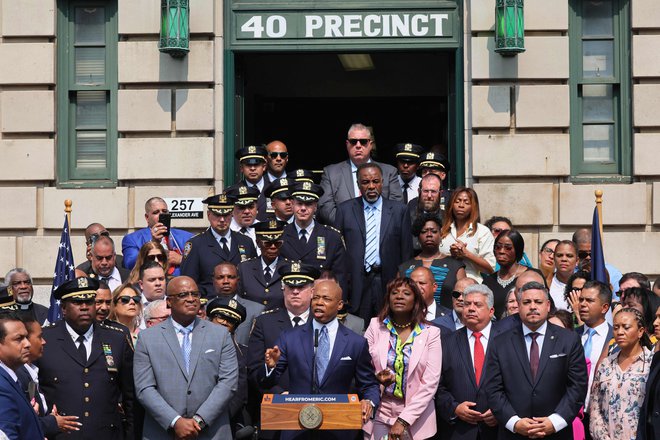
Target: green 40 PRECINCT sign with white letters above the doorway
x,y
427,28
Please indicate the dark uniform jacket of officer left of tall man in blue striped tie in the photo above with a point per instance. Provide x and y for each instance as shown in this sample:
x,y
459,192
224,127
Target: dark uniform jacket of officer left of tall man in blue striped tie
x,y
324,249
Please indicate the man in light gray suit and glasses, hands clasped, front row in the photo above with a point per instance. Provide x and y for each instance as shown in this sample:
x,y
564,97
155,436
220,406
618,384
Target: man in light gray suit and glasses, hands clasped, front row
x,y
186,371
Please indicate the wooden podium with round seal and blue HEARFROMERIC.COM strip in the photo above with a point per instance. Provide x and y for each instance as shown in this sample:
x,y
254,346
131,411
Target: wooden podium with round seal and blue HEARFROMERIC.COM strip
x,y
310,411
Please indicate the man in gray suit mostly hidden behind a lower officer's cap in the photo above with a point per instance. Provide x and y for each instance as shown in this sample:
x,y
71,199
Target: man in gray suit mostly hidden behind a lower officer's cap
x,y
225,283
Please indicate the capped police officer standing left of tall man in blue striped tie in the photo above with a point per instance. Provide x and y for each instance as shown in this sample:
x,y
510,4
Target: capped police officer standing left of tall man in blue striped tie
x,y
308,241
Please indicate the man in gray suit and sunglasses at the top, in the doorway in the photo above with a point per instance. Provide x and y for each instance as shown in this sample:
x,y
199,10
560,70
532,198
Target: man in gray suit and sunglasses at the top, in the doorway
x,y
339,181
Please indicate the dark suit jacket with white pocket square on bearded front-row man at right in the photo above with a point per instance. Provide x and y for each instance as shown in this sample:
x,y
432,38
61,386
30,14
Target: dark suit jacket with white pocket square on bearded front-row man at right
x,y
560,385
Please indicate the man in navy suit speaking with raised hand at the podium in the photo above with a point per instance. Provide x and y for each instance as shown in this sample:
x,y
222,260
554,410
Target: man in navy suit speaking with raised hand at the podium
x,y
339,357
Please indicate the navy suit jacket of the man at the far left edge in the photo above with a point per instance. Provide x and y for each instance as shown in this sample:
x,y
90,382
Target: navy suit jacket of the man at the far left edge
x,y
18,421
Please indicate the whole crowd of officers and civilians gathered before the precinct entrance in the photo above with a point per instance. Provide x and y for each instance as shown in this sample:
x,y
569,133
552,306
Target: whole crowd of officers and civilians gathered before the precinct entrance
x,y
379,281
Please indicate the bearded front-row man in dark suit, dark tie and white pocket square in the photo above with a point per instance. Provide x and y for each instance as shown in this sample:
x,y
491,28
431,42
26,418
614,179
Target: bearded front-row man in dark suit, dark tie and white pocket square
x,y
535,375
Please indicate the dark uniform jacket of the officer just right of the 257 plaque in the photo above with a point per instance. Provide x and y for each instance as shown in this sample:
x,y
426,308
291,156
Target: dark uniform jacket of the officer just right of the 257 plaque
x,y
203,252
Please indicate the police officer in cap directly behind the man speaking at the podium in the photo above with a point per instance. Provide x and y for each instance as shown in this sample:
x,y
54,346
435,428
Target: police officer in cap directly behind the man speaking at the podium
x,y
297,283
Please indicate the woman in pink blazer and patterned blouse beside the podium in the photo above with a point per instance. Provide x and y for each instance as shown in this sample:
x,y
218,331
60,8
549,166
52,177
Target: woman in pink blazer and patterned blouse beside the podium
x,y
406,353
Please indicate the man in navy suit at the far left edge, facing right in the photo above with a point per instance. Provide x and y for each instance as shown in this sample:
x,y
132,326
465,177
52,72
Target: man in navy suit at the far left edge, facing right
x,y
18,421
